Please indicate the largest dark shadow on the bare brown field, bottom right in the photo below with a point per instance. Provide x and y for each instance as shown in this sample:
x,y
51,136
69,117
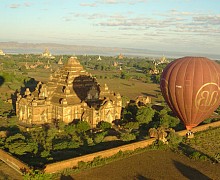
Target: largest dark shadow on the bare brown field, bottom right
x,y
189,172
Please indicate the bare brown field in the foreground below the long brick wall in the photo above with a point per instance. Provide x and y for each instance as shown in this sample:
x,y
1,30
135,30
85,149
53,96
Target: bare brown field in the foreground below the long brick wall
x,y
153,165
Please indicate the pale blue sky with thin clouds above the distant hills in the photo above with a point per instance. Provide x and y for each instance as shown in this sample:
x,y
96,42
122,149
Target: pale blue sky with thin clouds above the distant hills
x,y
167,25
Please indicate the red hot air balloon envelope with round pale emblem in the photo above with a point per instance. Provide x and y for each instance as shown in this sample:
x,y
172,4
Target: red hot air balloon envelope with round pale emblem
x,y
191,88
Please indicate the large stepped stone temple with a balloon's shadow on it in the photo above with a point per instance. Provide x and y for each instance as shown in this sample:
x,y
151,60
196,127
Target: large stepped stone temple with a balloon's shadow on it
x,y
70,94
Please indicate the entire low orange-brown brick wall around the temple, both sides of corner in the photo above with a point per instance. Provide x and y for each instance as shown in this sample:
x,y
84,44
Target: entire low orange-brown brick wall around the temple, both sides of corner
x,y
21,167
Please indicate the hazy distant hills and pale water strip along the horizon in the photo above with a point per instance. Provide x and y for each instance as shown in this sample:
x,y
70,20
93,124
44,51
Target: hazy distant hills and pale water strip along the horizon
x,y
58,49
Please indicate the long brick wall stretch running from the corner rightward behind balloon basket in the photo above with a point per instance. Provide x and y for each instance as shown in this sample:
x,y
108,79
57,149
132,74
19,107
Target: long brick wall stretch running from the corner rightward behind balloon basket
x,y
70,163
